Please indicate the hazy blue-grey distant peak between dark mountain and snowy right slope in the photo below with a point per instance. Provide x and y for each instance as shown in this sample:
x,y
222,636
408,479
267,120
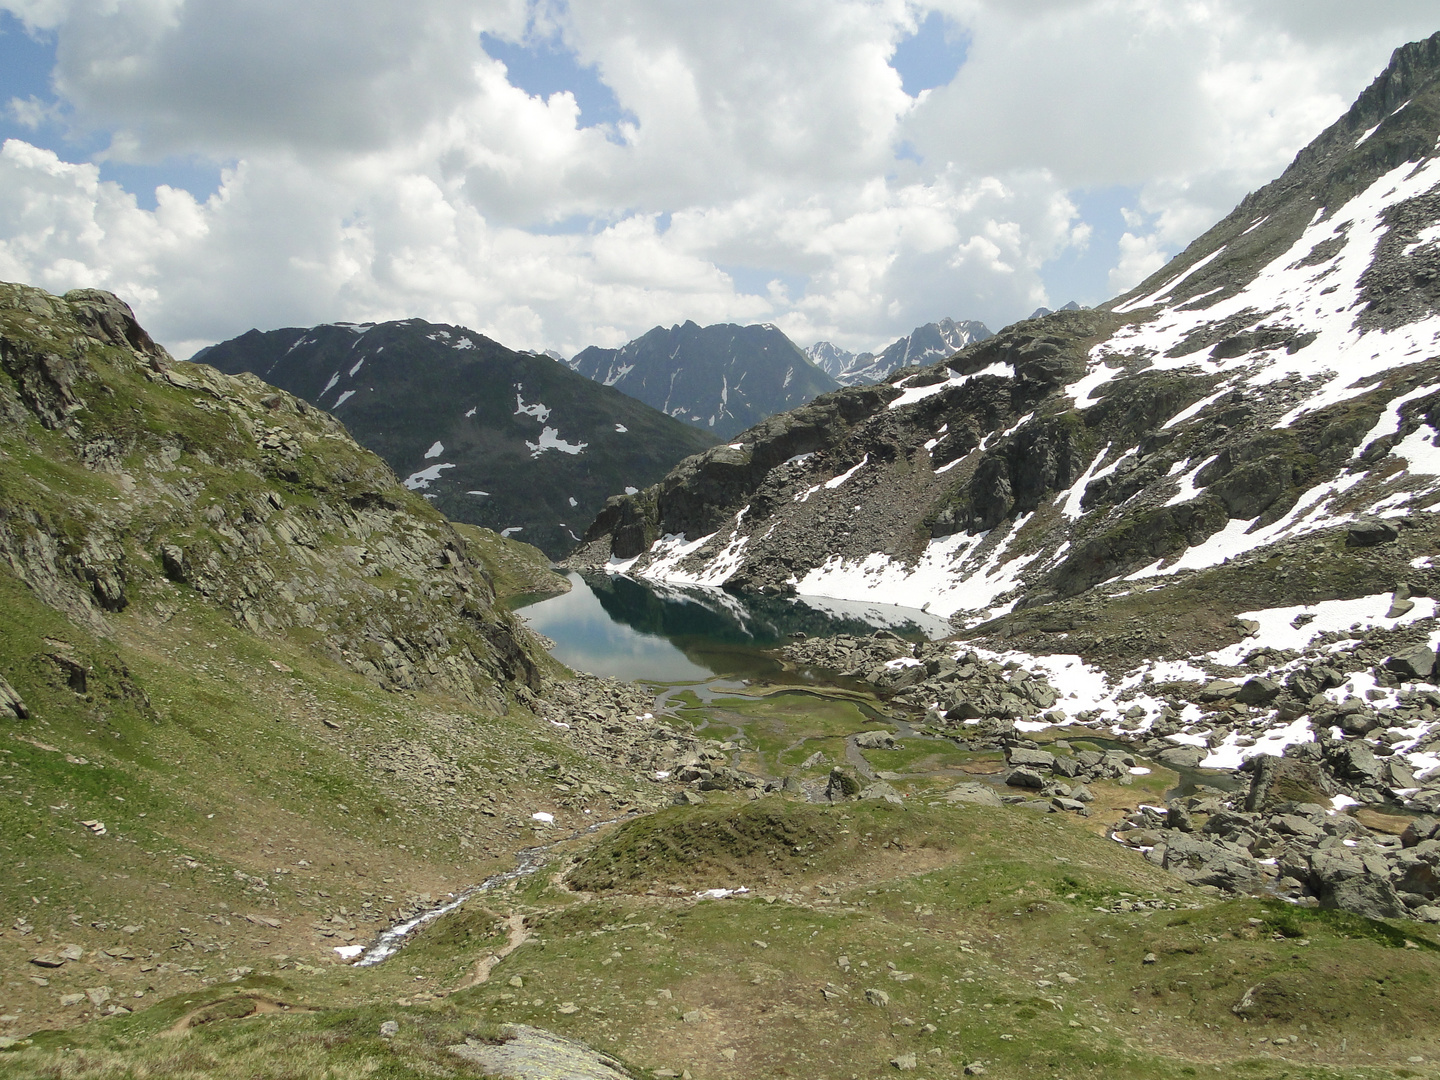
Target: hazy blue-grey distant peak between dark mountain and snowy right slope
x,y
724,378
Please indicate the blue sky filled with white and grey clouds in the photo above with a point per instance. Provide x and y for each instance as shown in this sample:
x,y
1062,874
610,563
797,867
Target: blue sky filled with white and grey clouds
x,y
561,175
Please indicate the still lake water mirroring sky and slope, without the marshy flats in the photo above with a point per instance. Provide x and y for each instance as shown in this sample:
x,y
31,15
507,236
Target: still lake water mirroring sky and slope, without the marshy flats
x,y
616,626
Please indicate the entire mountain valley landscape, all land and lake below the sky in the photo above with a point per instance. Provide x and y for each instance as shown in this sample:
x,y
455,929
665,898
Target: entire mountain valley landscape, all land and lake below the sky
x,y
1063,705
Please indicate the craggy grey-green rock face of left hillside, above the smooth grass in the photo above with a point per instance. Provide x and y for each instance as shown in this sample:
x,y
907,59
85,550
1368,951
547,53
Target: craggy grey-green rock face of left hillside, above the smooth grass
x,y
165,482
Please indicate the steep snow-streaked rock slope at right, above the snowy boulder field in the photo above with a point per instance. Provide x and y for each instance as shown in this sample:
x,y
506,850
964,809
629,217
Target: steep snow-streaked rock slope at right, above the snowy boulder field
x,y
1272,388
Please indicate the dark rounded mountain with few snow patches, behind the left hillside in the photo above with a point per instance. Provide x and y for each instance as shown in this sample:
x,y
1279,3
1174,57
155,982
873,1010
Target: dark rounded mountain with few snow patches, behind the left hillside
x,y
509,441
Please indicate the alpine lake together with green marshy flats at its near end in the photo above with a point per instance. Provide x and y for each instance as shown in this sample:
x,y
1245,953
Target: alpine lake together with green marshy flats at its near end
x,y
712,660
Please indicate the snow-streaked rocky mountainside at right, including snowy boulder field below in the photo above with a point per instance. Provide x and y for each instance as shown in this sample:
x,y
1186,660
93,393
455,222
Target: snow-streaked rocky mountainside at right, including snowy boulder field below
x,y
1230,472
